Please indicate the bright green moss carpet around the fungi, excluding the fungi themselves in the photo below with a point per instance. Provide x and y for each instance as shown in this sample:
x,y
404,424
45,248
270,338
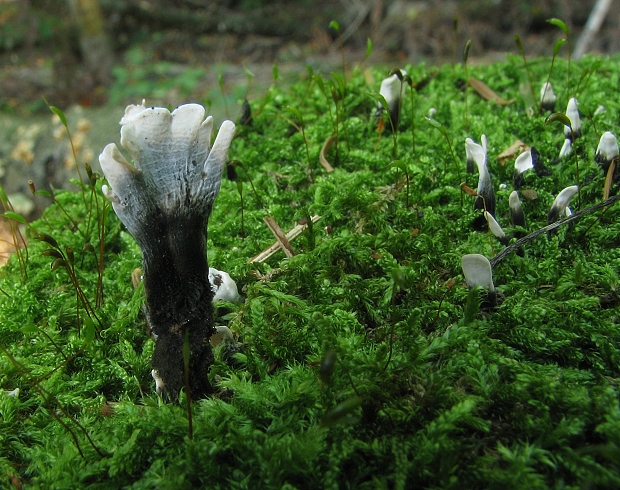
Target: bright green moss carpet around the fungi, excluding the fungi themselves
x,y
523,395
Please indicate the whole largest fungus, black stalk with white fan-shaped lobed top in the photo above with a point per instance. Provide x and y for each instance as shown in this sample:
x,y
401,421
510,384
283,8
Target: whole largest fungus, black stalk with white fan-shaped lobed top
x,y
165,200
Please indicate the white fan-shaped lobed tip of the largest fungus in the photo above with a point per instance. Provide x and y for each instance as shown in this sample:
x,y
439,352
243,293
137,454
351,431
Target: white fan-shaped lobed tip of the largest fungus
x,y
173,166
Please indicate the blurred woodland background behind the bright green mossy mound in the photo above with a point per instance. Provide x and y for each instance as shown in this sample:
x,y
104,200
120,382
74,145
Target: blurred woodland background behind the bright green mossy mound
x,y
90,58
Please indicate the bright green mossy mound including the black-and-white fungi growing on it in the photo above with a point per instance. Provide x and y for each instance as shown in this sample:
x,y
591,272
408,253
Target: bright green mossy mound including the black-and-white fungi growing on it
x,y
410,339
